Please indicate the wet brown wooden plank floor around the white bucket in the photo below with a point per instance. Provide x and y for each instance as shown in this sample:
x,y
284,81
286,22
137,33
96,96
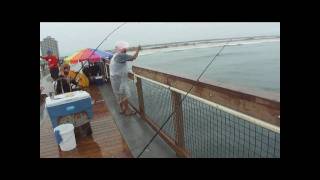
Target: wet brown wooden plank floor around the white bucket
x,y
105,141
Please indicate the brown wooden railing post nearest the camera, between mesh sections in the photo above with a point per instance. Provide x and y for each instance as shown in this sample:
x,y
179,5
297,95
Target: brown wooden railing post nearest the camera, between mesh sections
x,y
178,121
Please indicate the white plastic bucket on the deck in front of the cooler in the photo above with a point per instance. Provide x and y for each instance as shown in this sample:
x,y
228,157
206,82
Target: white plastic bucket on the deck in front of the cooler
x,y
68,138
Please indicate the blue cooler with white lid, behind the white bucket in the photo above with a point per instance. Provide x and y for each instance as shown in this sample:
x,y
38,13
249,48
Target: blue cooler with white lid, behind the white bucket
x,y
67,104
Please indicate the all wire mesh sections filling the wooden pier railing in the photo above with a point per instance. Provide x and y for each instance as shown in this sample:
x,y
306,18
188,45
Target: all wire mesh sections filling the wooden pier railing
x,y
208,131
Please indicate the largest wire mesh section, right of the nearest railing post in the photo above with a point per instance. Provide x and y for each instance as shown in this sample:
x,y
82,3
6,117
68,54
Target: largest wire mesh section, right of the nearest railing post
x,y
210,132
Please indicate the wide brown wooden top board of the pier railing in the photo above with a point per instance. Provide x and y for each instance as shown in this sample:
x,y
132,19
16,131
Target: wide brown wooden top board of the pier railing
x,y
262,108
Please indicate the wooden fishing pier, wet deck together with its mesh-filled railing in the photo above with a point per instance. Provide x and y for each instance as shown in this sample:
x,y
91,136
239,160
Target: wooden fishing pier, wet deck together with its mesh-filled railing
x,y
213,121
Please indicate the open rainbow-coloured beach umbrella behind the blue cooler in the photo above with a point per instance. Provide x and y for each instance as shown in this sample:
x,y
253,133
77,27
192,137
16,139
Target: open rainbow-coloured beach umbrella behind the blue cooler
x,y
88,55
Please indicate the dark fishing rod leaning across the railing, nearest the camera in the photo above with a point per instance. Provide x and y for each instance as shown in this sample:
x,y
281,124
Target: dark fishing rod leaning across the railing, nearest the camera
x,y
180,102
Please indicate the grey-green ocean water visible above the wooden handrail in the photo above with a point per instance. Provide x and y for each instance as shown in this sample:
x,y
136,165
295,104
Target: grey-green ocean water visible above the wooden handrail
x,y
249,67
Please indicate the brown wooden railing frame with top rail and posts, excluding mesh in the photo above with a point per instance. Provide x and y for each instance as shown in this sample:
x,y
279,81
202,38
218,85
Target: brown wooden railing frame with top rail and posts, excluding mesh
x,y
258,110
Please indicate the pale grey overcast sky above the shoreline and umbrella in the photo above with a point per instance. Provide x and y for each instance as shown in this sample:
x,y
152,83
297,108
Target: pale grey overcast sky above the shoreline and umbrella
x,y
72,37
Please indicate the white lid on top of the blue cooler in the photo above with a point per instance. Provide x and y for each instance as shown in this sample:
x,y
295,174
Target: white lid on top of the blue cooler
x,y
67,98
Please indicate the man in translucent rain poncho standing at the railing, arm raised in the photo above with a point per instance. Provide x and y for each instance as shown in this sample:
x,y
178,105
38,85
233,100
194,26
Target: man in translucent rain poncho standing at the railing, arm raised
x,y
119,75
